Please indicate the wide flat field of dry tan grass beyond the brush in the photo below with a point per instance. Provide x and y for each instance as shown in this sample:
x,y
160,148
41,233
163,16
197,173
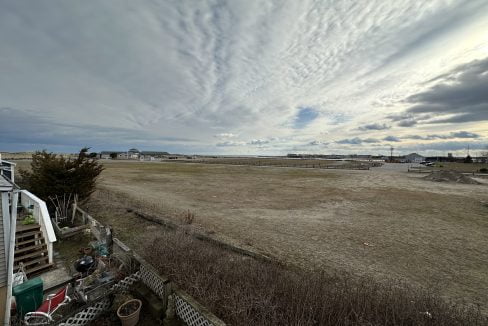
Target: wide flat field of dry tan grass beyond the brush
x,y
383,222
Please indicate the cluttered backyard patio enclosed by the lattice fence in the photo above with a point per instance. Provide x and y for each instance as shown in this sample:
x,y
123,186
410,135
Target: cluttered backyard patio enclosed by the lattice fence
x,y
117,276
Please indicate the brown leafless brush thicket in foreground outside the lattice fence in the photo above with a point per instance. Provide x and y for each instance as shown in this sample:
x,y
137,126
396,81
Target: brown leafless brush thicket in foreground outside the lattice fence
x,y
243,291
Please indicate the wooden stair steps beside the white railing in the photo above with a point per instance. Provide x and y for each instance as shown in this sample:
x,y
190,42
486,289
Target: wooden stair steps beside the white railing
x,y
31,250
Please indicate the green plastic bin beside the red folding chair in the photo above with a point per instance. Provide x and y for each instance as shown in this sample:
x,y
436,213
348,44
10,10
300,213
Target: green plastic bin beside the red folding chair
x,y
28,296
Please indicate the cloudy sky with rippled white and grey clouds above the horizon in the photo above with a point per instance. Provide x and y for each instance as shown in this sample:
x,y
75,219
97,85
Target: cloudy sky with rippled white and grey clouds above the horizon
x,y
245,77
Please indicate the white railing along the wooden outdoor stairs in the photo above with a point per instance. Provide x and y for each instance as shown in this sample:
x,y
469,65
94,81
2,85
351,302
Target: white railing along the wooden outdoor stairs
x,y
41,215
